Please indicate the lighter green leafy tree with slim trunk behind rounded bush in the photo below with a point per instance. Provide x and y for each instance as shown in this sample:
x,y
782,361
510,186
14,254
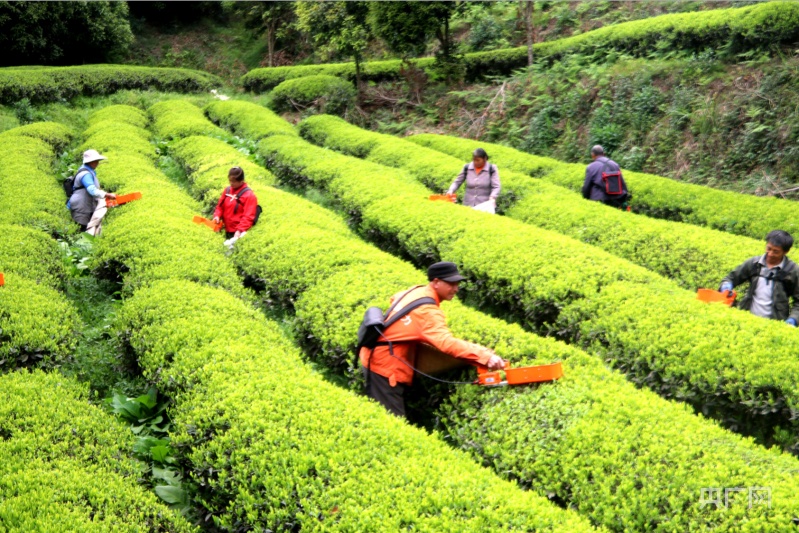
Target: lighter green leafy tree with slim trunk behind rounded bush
x,y
337,28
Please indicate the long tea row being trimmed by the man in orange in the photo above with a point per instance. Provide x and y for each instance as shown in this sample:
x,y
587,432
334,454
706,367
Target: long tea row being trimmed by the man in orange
x,y
623,456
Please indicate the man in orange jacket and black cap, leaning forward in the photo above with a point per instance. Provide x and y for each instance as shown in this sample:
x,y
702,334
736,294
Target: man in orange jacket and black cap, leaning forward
x,y
388,375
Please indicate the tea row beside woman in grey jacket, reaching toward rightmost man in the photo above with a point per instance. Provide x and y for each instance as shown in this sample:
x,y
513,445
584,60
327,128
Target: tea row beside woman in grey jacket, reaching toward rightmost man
x,y
694,257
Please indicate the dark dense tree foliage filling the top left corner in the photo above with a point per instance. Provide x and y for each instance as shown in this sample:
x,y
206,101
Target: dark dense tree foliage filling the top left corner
x,y
63,33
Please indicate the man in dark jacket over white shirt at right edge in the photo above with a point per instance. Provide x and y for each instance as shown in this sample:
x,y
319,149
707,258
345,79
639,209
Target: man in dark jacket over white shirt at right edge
x,y
773,280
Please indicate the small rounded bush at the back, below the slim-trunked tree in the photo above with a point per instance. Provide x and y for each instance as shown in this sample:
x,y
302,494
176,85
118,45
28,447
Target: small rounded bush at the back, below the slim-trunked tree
x,y
328,94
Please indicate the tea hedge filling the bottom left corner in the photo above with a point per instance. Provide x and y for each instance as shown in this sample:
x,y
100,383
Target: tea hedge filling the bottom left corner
x,y
64,463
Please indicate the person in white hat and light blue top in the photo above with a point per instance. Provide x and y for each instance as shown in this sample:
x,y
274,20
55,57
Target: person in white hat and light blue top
x,y
87,203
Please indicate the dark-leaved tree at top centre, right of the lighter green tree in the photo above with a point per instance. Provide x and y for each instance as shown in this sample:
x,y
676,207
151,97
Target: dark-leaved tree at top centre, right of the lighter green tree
x,y
407,27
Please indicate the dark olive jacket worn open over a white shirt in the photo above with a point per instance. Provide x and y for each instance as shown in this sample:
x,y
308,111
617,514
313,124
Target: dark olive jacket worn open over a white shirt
x,y
786,286
